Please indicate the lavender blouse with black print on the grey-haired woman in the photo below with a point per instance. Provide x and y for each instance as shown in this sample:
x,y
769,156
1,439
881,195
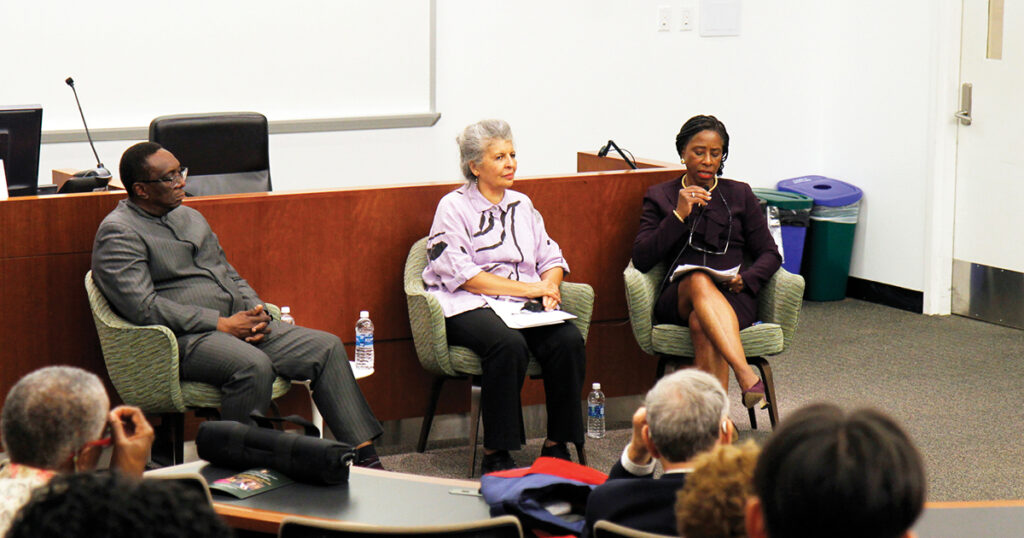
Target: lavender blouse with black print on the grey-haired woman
x,y
472,235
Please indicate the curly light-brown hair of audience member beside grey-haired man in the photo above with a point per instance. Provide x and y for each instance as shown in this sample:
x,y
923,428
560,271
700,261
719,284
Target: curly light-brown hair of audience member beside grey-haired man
x,y
713,502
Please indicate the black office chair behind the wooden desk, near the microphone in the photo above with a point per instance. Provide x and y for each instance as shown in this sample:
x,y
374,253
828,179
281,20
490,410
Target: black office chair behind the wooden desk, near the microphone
x,y
226,153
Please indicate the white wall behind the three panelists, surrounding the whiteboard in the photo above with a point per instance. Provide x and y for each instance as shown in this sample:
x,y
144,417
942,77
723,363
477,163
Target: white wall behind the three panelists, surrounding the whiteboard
x,y
833,89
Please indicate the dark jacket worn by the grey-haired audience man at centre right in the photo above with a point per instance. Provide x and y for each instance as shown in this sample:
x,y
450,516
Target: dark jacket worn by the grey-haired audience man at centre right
x,y
637,503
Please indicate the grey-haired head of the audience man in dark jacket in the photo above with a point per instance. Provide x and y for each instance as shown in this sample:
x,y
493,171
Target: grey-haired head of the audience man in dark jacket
x,y
686,410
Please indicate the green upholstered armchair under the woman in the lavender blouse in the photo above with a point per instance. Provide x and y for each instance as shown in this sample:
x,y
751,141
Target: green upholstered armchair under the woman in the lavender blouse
x,y
447,362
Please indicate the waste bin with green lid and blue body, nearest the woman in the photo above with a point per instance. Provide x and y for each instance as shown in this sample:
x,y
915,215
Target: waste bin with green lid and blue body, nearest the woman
x,y
793,215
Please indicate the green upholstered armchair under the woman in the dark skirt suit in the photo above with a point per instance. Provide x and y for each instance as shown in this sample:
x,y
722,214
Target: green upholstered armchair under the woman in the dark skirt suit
x,y
779,310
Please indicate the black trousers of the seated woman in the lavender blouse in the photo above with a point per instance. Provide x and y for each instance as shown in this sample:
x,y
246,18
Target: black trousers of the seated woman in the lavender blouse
x,y
505,356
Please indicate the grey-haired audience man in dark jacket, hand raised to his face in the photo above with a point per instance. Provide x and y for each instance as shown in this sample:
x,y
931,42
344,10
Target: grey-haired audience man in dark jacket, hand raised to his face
x,y
685,415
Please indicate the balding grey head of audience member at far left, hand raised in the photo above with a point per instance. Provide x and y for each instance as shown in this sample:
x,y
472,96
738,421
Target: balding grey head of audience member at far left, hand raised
x,y
52,413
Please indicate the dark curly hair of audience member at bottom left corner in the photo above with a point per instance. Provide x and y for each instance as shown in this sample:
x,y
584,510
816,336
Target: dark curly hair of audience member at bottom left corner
x,y
110,506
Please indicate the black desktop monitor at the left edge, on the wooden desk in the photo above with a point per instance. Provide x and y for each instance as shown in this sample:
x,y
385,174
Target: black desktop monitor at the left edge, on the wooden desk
x,y
20,136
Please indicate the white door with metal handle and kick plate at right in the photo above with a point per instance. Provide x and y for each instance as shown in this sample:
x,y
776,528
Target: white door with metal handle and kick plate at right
x,y
989,231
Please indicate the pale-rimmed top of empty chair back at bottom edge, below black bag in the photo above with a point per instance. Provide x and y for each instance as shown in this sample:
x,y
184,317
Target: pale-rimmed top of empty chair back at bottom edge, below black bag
x,y
503,527
